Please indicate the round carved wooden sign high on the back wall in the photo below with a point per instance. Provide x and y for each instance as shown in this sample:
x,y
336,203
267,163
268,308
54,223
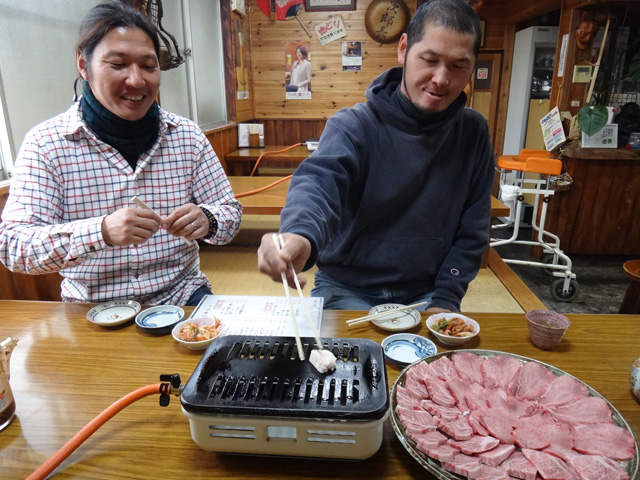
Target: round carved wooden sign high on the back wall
x,y
386,20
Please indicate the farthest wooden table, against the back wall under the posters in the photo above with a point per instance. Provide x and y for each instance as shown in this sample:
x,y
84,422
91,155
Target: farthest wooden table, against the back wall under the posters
x,y
242,161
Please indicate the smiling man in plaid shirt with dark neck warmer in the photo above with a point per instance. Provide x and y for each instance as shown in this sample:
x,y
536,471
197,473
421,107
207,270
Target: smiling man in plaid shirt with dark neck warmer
x,y
70,207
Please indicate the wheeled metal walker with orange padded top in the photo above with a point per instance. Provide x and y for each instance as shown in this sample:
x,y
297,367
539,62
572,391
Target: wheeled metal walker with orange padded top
x,y
565,288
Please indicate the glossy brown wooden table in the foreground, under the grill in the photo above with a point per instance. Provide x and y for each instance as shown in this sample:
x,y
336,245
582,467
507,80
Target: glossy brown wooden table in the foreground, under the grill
x,y
66,370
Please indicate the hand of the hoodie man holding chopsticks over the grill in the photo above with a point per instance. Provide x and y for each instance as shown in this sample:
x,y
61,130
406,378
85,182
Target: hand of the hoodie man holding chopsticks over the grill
x,y
296,250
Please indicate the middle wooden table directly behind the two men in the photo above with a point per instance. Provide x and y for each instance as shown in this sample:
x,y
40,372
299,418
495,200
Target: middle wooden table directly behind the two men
x,y
272,200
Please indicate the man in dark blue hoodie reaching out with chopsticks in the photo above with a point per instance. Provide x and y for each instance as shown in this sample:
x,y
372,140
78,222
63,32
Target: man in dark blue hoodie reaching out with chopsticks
x,y
395,204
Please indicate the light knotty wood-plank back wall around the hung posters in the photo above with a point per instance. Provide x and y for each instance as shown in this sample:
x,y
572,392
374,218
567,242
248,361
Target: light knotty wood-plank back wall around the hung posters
x,y
332,88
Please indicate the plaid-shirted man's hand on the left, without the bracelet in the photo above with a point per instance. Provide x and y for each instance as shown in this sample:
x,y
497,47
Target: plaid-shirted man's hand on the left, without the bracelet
x,y
130,226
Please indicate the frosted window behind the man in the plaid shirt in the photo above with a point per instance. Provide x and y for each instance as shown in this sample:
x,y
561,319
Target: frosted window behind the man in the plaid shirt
x,y
38,67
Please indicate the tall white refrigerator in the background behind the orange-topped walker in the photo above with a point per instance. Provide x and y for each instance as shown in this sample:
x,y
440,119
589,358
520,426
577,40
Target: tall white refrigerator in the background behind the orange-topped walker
x,y
531,81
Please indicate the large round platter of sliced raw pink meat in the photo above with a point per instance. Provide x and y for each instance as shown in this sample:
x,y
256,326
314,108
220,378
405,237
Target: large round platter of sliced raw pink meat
x,y
492,415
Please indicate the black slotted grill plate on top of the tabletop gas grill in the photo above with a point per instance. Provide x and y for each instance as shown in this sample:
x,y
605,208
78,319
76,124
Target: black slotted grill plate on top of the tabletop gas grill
x,y
264,376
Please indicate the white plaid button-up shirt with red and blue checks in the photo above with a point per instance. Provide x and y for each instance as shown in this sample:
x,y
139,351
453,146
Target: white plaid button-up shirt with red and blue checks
x,y
66,181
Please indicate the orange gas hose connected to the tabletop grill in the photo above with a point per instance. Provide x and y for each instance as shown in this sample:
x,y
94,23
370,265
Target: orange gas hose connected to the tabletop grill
x,y
67,449
